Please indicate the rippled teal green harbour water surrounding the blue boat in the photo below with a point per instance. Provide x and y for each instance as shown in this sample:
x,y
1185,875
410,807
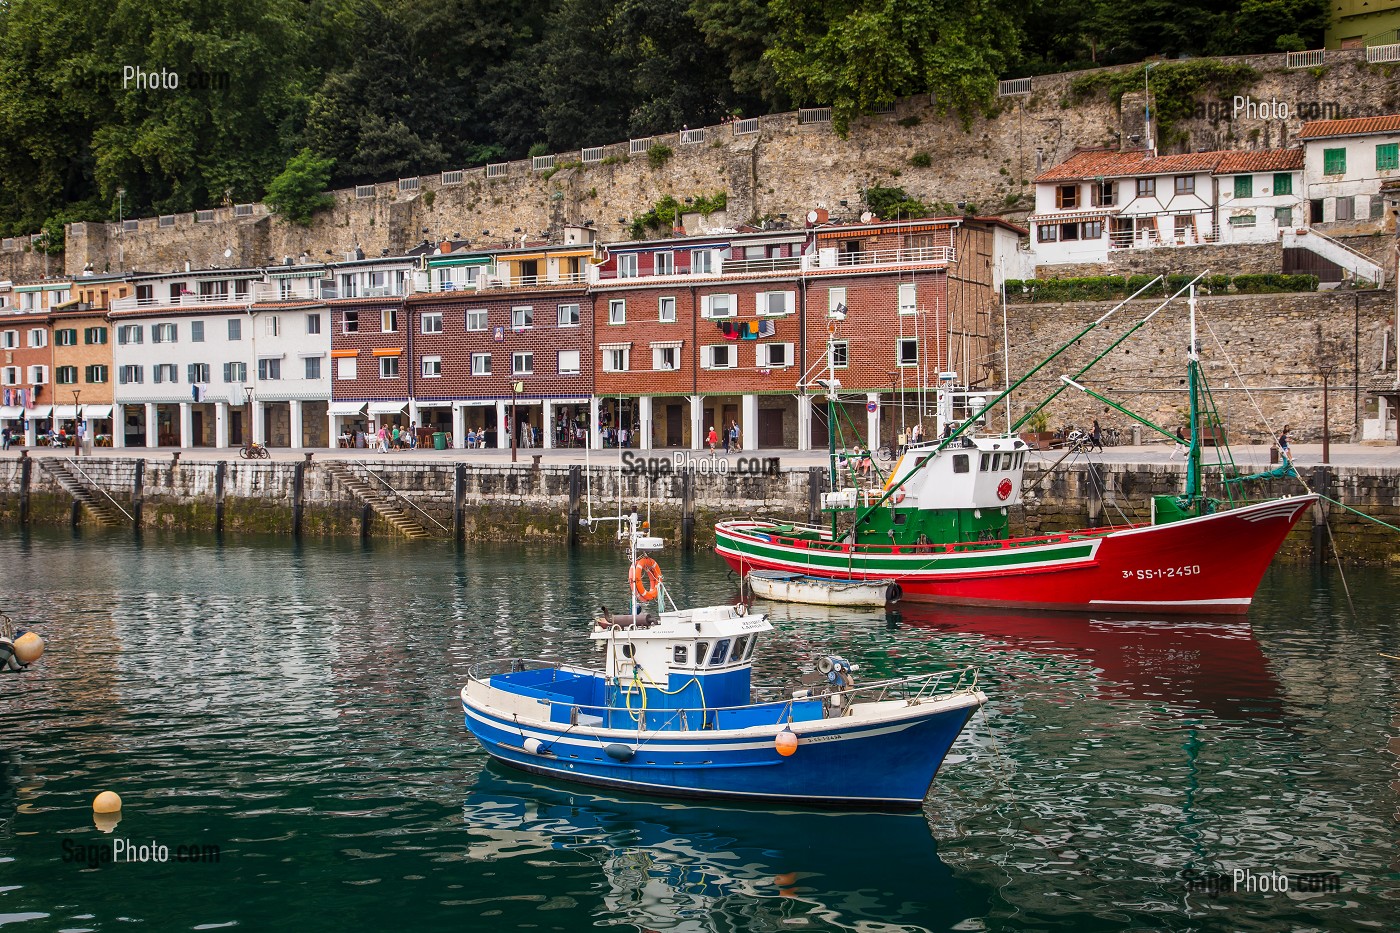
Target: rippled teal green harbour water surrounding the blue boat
x,y
296,707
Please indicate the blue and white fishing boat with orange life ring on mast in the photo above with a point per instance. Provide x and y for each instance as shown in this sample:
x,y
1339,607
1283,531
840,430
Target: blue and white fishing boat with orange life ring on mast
x,y
674,712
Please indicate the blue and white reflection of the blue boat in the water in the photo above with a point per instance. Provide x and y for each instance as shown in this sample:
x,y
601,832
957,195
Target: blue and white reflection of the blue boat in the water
x,y
702,868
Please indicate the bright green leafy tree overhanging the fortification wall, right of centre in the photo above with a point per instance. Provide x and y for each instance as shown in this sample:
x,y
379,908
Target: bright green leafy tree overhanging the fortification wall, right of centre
x,y
859,55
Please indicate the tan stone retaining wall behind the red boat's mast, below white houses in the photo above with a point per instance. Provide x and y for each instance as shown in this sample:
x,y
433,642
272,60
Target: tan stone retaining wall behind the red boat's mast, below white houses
x,y
1276,347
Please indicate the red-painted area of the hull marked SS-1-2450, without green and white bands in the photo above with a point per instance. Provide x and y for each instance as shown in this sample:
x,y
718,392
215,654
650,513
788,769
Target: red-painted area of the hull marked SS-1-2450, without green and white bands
x,y
1209,565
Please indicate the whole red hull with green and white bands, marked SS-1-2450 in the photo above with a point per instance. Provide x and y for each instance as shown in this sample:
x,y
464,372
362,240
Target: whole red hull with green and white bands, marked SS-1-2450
x,y
1207,565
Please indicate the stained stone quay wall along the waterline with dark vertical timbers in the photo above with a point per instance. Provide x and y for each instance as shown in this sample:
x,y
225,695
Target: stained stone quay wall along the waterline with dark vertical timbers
x,y
512,504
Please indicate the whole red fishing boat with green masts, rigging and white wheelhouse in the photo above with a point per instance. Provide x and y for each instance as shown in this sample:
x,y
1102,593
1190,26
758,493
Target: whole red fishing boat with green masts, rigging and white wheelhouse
x,y
940,526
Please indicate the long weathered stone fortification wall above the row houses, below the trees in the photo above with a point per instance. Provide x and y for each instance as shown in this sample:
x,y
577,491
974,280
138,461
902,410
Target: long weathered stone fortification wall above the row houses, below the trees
x,y
787,167
